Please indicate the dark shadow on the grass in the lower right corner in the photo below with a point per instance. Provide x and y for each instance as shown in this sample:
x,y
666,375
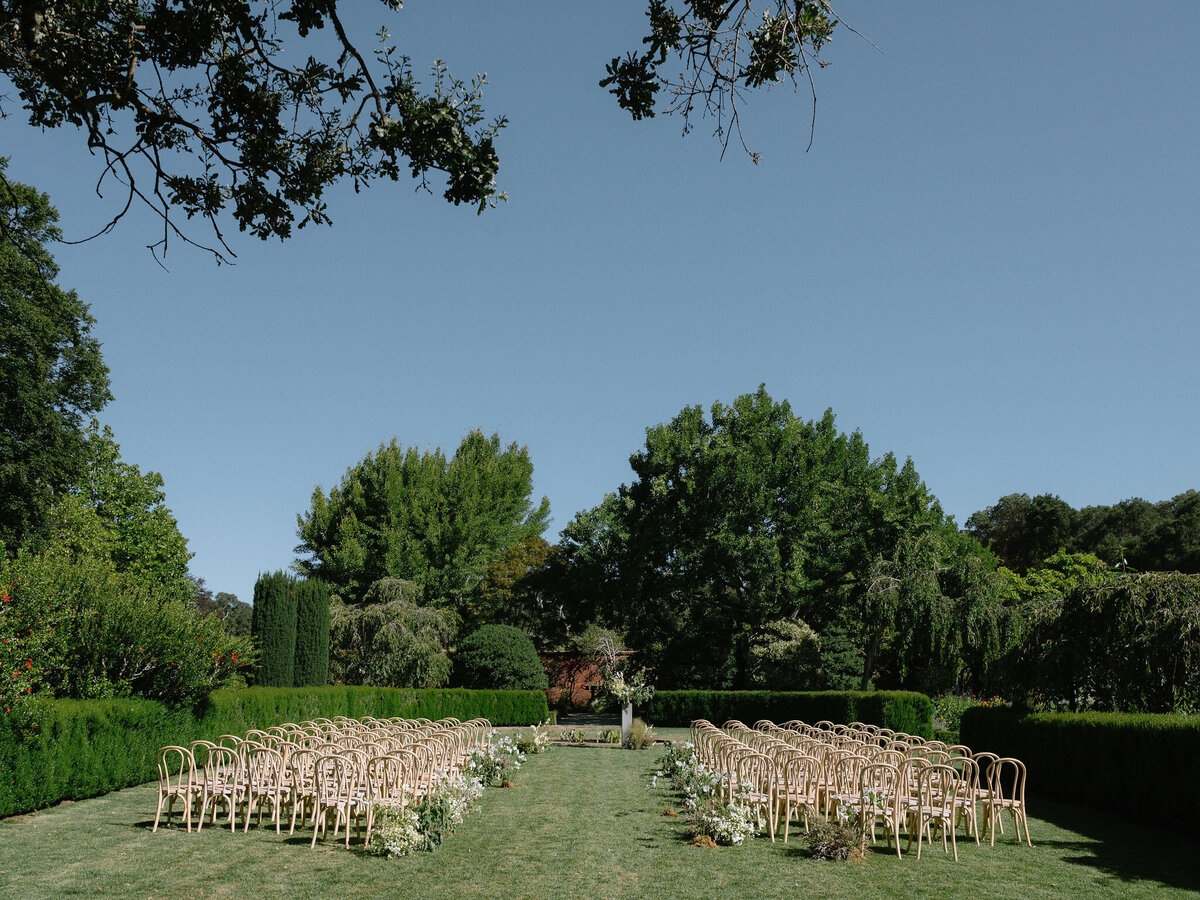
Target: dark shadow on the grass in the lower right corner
x,y
1123,849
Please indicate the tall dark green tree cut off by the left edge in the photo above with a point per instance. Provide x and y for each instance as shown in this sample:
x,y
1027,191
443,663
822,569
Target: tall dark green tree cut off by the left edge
x,y
52,376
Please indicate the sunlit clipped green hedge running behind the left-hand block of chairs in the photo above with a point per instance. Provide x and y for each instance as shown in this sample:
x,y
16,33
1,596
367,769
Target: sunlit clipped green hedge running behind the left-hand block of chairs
x,y
87,748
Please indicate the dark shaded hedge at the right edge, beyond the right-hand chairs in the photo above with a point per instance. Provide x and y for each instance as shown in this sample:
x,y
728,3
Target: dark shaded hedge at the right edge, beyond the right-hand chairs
x,y
1139,765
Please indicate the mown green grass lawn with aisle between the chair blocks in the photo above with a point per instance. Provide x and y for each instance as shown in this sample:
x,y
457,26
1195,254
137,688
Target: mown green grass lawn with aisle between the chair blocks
x,y
580,823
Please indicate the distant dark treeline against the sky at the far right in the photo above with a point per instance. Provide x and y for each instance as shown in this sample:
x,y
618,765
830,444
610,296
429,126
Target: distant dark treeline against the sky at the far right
x,y
1135,533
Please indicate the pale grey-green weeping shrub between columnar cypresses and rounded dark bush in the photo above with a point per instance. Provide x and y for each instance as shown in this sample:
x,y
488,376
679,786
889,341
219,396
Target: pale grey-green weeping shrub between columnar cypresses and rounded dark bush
x,y
391,641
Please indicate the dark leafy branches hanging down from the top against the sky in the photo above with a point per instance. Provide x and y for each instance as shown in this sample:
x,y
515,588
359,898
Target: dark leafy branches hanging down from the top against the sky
x,y
256,110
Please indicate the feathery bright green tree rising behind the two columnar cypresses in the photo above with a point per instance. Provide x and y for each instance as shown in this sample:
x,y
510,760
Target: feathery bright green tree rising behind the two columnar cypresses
x,y
406,514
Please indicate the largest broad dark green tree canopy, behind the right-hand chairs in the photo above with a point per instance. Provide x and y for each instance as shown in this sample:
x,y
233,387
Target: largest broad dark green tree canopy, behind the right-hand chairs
x,y
752,515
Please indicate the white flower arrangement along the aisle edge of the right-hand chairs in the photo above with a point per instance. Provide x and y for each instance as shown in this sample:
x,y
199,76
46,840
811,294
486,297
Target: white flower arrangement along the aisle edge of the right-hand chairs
x,y
711,813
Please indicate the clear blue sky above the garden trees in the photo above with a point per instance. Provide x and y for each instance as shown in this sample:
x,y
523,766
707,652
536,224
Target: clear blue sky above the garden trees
x,y
989,262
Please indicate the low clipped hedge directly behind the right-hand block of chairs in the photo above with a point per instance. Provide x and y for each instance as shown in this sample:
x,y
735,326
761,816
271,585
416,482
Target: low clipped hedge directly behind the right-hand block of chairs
x,y
899,711
